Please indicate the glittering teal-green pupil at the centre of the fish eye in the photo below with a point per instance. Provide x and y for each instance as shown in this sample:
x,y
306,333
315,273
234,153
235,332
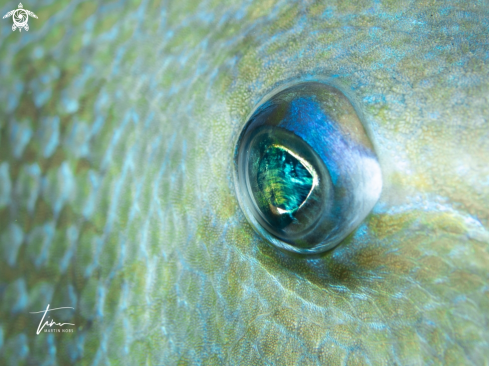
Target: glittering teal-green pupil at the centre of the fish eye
x,y
284,181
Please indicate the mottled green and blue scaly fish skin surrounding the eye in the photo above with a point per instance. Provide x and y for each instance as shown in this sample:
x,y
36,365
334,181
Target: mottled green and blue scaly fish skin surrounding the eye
x,y
118,123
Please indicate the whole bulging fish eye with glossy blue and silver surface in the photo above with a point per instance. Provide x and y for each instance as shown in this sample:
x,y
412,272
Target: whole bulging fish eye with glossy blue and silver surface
x,y
306,173
